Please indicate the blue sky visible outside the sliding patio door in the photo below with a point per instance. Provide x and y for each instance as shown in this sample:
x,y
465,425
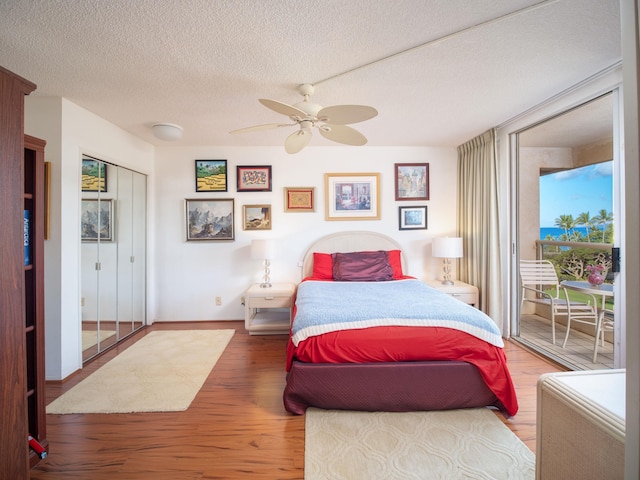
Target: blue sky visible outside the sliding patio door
x,y
586,189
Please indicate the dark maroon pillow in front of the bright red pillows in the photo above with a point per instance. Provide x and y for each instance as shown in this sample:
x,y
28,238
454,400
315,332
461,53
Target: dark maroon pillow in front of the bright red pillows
x,y
362,267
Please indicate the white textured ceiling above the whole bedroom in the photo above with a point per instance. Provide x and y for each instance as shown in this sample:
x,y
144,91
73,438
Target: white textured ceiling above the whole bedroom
x,y
438,71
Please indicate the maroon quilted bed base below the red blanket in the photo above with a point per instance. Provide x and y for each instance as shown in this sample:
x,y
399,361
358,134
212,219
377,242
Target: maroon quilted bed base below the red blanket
x,y
390,387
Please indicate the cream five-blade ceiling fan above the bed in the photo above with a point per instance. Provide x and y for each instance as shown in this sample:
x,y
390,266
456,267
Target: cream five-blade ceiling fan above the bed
x,y
332,122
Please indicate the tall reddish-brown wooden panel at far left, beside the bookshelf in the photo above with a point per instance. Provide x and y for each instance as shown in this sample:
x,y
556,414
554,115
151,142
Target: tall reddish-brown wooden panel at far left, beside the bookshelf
x,y
14,453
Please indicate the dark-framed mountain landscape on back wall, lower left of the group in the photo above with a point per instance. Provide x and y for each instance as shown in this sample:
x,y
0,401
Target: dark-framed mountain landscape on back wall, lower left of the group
x,y
210,219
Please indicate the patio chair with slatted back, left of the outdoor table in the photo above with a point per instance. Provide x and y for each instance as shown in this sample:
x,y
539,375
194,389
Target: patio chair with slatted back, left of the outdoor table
x,y
538,275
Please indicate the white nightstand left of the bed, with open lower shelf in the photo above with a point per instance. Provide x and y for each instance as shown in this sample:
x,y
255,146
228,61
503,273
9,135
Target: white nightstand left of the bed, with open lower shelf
x,y
267,311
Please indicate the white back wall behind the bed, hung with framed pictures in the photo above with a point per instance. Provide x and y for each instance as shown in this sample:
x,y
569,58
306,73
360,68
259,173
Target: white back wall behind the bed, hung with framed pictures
x,y
189,275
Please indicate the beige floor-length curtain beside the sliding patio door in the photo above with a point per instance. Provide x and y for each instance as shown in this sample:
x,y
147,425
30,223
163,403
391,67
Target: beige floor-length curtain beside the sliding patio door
x,y
478,221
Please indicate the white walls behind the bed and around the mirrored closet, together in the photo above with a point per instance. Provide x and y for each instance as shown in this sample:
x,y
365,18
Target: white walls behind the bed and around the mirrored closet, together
x,y
185,277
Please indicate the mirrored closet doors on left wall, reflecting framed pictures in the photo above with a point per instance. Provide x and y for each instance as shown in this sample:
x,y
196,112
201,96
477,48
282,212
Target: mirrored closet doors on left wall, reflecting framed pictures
x,y
113,234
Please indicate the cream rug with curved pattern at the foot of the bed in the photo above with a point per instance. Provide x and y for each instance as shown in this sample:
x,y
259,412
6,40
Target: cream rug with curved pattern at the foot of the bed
x,y
454,444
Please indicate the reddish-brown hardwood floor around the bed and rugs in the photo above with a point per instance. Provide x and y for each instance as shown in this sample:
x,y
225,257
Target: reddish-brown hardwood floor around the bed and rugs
x,y
235,428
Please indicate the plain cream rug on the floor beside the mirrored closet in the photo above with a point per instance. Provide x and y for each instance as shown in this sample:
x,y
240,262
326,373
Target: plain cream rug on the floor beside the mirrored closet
x,y
161,372
